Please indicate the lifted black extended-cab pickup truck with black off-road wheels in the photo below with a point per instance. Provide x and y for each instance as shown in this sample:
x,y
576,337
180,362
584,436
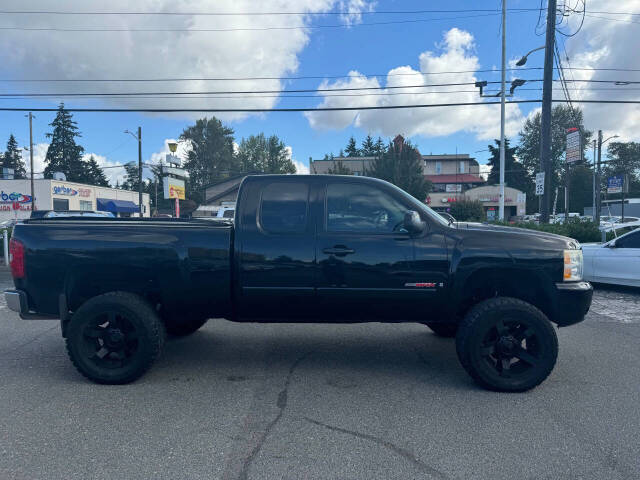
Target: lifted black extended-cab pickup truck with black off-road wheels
x,y
326,249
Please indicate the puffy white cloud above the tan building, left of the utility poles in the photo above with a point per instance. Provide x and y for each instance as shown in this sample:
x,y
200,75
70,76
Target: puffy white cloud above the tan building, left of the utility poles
x,y
455,53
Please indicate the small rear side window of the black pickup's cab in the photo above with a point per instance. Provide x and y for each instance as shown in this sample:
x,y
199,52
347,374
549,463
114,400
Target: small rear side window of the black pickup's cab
x,y
283,207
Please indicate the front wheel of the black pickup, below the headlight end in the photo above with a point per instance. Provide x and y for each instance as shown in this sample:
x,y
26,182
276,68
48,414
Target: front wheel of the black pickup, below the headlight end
x,y
507,345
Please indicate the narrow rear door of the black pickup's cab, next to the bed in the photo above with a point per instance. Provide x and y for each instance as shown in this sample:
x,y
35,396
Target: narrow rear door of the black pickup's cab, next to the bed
x,y
276,251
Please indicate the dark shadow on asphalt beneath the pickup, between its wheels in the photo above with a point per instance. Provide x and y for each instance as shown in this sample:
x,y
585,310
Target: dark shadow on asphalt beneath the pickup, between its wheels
x,y
345,355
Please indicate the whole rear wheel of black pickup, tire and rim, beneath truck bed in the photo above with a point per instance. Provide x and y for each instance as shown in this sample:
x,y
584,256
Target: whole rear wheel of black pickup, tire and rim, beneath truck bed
x,y
114,338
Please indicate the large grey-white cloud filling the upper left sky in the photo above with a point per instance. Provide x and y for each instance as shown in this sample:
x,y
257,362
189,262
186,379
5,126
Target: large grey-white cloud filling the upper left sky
x,y
164,54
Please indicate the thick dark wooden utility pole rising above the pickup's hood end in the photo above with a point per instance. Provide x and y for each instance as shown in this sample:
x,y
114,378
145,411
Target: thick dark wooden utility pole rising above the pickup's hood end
x,y
545,121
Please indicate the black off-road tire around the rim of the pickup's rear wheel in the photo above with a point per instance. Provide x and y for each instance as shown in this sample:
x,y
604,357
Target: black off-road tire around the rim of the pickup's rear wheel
x,y
149,336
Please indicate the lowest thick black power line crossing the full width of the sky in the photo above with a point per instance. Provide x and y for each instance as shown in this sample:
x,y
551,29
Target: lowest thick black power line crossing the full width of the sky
x,y
301,109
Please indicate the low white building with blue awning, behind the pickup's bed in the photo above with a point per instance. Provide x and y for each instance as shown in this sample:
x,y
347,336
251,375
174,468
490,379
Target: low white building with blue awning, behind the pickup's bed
x,y
16,202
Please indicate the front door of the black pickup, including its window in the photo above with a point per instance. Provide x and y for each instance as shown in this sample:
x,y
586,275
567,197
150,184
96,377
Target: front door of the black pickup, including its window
x,y
367,263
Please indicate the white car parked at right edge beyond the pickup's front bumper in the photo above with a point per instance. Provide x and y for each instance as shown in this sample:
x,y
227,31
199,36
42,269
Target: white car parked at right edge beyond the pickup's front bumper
x,y
617,261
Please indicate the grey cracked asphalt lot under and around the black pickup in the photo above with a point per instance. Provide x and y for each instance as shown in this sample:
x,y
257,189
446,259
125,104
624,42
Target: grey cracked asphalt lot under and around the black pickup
x,y
369,401
